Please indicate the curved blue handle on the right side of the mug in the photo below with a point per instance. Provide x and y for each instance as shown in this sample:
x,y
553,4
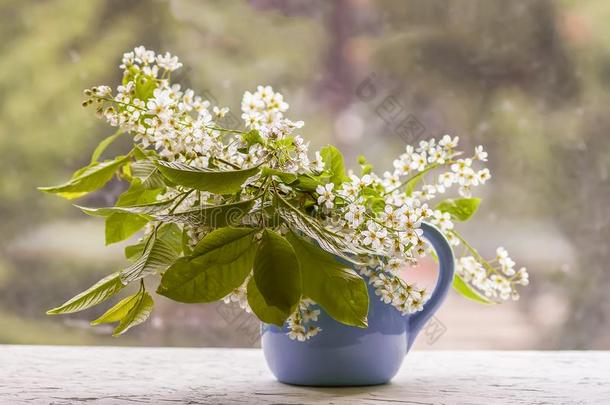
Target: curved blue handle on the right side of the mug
x,y
445,279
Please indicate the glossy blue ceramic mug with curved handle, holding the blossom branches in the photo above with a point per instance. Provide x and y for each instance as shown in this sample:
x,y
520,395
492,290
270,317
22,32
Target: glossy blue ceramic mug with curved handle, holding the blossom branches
x,y
342,355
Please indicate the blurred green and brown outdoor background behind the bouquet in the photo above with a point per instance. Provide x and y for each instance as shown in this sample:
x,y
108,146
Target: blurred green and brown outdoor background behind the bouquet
x,y
527,79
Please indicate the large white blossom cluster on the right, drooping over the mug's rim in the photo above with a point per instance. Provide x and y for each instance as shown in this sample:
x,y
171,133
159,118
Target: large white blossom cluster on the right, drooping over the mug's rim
x,y
377,213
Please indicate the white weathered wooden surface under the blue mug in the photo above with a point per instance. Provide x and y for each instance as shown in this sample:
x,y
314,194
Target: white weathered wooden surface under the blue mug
x,y
69,375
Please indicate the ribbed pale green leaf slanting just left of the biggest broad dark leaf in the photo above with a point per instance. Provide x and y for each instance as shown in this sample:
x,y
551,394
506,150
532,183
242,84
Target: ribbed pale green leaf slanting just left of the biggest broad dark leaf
x,y
158,254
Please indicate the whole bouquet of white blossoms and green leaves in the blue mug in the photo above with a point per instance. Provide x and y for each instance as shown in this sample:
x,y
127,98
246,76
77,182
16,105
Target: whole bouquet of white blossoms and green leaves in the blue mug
x,y
249,216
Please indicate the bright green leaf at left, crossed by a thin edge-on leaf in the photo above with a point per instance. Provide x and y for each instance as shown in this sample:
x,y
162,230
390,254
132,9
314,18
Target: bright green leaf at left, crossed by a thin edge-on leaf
x,y
122,225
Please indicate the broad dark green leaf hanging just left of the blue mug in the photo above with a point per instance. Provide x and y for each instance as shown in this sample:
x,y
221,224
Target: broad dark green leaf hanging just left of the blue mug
x,y
220,263
